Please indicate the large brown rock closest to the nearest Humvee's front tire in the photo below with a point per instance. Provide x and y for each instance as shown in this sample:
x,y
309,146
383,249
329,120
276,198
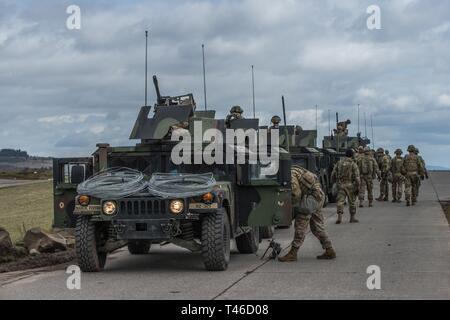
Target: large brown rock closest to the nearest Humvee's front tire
x,y
43,241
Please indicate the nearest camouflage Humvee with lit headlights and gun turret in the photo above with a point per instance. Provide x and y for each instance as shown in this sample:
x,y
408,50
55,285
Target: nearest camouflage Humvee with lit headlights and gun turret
x,y
241,201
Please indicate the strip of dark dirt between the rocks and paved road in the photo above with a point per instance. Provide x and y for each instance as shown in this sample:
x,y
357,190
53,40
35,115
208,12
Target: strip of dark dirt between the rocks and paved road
x,y
39,261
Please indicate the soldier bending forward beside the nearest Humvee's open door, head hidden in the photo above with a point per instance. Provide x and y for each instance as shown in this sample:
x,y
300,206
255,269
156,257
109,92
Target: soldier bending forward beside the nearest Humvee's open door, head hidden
x,y
307,201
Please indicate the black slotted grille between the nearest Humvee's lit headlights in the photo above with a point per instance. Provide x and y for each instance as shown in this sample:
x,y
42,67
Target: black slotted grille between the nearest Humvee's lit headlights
x,y
142,207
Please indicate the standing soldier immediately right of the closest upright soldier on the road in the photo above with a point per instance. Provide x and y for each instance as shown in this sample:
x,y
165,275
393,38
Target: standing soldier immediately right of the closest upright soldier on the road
x,y
368,170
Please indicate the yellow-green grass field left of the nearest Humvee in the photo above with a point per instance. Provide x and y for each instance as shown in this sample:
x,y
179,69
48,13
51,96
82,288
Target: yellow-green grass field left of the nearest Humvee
x,y
26,206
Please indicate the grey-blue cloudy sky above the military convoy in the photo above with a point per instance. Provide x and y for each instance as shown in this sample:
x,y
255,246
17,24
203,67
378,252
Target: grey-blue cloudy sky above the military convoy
x,y
62,90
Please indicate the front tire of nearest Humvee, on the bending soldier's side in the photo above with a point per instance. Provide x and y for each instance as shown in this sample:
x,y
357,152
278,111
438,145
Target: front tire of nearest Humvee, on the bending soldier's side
x,y
215,240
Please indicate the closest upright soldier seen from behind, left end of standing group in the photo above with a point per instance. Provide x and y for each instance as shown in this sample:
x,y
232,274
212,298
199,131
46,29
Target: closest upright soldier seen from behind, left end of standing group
x,y
346,176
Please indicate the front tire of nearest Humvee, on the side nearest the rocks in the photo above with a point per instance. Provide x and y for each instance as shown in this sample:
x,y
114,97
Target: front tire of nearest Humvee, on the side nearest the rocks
x,y
86,249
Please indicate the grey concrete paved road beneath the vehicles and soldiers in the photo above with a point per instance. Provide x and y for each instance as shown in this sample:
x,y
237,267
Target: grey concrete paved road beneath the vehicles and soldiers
x,y
411,246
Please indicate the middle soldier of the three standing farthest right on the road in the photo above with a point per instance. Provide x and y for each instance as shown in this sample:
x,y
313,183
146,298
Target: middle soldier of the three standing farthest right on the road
x,y
413,172
